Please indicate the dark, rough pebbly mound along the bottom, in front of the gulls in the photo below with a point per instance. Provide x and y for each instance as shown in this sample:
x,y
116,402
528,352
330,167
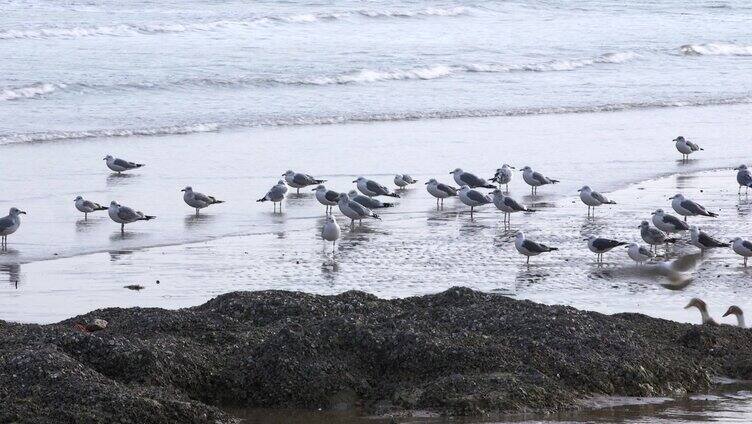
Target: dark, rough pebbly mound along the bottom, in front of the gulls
x,y
457,352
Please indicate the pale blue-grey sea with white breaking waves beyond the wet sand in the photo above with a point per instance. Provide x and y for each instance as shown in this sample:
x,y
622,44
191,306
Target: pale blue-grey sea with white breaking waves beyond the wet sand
x,y
87,68
